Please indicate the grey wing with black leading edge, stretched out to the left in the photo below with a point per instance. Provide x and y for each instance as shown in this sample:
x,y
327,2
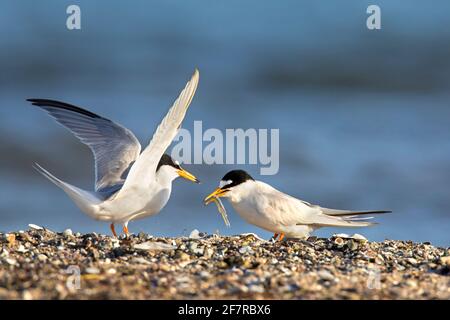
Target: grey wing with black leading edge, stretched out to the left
x,y
115,148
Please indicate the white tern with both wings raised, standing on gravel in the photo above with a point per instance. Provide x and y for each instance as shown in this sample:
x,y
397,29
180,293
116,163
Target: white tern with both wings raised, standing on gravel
x,y
129,185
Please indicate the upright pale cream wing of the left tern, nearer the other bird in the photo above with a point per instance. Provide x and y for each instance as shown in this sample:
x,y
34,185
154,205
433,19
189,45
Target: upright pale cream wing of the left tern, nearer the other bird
x,y
145,166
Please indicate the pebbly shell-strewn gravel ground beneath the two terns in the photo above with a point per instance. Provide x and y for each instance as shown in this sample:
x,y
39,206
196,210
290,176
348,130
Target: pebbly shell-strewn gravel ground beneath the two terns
x,y
41,264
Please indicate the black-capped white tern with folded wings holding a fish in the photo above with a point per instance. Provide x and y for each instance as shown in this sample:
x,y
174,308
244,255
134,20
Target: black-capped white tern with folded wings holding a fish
x,y
266,207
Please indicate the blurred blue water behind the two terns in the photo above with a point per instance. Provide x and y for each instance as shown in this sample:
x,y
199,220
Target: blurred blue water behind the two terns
x,y
363,115
